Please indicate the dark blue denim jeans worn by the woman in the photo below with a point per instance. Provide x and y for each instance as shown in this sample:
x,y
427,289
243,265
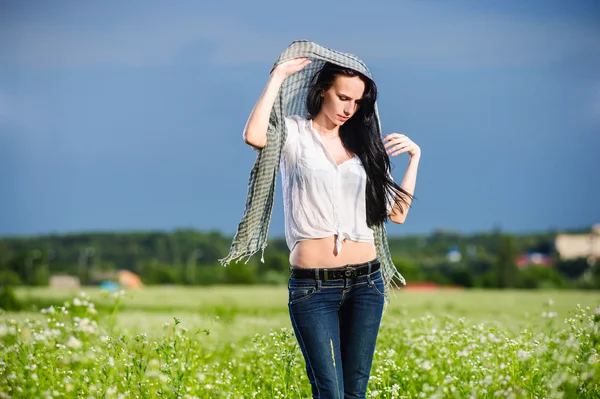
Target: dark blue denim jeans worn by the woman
x,y
336,324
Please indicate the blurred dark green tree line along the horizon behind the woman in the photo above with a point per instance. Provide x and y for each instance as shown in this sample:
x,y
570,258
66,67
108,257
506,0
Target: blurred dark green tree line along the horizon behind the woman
x,y
486,260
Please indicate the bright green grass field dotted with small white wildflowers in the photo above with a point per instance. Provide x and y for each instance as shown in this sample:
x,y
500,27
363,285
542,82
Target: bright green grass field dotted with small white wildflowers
x,y
237,342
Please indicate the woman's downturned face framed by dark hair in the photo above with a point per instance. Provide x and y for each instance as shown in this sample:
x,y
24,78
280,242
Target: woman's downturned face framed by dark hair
x,y
342,99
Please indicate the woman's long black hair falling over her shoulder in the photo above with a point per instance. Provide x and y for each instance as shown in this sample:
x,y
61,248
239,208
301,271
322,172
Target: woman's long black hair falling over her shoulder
x,y
360,135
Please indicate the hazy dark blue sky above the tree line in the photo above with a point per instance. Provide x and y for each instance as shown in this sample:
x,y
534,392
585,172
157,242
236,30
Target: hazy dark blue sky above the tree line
x,y
129,115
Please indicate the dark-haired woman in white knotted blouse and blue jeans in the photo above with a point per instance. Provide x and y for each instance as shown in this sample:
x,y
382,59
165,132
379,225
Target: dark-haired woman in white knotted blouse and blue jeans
x,y
336,185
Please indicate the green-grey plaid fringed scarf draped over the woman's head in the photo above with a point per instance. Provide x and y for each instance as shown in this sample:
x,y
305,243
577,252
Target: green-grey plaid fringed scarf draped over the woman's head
x,y
251,235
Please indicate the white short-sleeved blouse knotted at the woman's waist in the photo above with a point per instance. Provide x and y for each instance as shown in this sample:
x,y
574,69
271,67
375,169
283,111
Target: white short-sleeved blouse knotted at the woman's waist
x,y
321,198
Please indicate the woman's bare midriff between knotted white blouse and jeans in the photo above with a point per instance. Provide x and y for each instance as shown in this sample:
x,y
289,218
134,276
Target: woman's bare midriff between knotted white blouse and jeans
x,y
320,253
